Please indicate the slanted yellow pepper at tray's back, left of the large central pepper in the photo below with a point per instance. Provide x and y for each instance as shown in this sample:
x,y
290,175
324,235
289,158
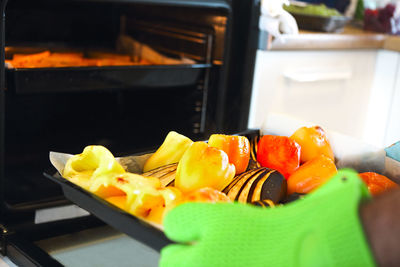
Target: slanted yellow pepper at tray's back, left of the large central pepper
x,y
171,151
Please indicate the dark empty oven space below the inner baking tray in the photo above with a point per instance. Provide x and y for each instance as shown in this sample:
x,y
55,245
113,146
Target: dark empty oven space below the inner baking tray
x,y
124,121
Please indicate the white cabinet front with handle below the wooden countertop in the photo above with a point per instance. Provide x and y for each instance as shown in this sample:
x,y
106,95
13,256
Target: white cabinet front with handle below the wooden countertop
x,y
348,91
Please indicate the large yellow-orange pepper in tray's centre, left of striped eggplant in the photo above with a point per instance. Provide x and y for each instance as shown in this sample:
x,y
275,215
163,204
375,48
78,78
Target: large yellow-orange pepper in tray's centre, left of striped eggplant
x,y
203,166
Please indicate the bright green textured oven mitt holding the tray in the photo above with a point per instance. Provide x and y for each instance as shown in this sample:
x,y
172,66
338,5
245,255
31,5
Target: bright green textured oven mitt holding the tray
x,y
322,229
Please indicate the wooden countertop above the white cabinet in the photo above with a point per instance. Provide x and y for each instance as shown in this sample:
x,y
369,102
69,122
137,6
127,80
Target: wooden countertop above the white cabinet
x,y
349,38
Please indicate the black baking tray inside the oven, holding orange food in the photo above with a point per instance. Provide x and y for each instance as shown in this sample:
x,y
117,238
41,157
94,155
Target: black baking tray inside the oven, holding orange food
x,y
78,79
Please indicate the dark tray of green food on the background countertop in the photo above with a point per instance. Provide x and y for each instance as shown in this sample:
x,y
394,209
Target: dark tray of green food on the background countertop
x,y
320,23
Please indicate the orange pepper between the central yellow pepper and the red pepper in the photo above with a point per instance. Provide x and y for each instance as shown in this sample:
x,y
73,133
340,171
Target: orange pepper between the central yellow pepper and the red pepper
x,y
236,147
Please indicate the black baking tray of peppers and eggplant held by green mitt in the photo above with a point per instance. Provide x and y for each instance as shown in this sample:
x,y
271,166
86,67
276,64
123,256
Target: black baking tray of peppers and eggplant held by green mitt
x,y
114,216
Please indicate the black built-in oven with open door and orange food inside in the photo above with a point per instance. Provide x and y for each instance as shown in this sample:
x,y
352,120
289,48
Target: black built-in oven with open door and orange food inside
x,y
119,73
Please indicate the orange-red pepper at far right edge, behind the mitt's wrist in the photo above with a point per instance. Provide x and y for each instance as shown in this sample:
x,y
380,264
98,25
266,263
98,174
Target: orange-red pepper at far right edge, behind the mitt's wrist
x,y
377,183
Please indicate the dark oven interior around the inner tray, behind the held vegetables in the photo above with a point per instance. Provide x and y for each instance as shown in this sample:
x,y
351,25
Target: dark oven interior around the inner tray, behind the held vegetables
x,y
125,108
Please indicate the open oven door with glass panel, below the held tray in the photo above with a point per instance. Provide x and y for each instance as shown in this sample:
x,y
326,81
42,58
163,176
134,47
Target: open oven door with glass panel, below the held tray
x,y
100,246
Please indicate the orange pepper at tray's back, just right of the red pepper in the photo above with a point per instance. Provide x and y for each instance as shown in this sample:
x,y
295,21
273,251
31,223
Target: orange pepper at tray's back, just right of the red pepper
x,y
313,142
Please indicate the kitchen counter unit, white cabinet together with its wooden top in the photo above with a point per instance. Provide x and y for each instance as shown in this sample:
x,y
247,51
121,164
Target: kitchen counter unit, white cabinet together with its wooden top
x,y
310,75
